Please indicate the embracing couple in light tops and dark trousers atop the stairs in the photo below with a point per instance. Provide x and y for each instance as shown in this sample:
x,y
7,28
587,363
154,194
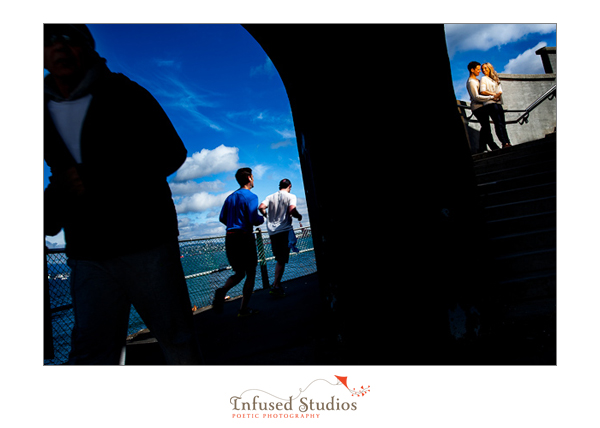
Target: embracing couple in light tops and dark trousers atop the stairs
x,y
486,104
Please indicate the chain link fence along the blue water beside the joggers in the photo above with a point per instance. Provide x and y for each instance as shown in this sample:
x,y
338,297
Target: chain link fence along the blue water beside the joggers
x,y
206,268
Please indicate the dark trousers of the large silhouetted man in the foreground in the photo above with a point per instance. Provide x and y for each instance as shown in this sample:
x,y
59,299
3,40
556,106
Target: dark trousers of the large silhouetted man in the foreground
x,y
103,292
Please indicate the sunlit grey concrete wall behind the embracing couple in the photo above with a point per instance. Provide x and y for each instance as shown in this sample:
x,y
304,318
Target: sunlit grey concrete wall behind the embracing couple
x,y
519,91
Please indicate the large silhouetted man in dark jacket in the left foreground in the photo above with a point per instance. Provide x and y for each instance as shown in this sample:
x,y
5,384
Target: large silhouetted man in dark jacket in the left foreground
x,y
110,147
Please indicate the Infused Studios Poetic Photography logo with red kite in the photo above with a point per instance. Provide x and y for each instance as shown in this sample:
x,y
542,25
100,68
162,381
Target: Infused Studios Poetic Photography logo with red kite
x,y
256,403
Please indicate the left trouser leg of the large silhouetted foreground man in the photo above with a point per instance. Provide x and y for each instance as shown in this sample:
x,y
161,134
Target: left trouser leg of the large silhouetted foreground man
x,y
101,310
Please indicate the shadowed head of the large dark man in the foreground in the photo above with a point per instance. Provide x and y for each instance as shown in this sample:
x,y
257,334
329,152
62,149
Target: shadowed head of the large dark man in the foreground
x,y
69,51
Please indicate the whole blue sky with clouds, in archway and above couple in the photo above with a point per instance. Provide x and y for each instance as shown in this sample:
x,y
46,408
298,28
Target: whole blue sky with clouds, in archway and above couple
x,y
228,104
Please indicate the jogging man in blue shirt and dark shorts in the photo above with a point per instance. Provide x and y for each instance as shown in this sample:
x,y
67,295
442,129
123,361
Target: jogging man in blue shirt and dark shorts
x,y
240,214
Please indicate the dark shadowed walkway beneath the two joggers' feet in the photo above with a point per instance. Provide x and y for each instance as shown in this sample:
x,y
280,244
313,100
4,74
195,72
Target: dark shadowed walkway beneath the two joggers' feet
x,y
285,331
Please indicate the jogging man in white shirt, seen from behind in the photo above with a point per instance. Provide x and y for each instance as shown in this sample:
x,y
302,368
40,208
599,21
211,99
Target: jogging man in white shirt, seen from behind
x,y
279,208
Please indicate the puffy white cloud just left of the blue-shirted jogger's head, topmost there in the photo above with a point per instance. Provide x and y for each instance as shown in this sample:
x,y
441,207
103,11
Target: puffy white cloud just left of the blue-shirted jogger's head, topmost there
x,y
208,162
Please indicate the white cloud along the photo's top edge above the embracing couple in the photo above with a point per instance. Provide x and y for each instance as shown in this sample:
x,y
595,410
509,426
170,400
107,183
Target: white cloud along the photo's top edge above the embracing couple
x,y
465,37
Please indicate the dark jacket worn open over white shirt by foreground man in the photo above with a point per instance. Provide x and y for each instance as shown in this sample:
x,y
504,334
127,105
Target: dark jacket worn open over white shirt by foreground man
x,y
128,148
